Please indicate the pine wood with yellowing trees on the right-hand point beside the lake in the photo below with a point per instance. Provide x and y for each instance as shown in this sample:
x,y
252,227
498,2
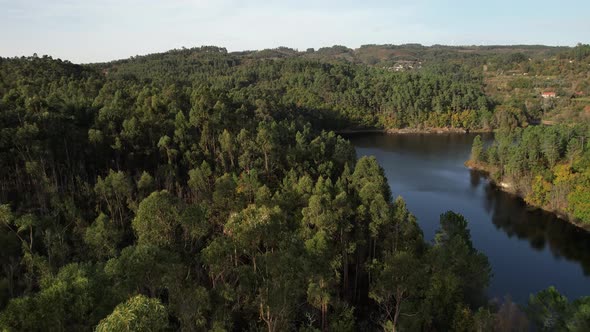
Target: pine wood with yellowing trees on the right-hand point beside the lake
x,y
549,166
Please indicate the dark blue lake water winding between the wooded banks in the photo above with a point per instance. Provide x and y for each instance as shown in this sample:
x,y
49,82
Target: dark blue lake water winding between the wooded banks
x,y
528,250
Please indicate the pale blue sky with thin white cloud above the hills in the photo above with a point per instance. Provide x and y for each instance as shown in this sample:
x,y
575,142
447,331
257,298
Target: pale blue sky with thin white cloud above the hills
x,y
85,31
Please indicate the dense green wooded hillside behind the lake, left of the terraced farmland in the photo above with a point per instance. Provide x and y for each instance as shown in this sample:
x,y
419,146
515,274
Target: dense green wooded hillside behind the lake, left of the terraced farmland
x,y
335,95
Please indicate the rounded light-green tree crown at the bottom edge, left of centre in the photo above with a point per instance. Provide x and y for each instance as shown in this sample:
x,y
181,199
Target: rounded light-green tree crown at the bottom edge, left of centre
x,y
139,313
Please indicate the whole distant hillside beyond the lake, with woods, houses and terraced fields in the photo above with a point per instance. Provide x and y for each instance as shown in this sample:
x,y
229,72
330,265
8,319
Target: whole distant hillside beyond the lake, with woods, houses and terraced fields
x,y
393,86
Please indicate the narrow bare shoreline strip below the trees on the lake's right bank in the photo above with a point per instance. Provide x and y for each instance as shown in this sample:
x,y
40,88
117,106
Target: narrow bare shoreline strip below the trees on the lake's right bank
x,y
511,188
